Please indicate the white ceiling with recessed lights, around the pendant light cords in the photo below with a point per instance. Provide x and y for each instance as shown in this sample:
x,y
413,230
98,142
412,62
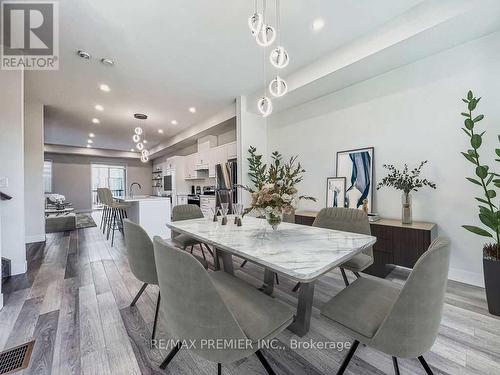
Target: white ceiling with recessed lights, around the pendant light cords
x,y
171,55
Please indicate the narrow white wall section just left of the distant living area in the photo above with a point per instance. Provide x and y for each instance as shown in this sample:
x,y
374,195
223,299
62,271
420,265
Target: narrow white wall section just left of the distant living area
x,y
33,172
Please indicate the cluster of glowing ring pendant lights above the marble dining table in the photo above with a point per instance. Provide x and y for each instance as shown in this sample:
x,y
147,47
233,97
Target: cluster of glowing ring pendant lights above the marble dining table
x,y
265,35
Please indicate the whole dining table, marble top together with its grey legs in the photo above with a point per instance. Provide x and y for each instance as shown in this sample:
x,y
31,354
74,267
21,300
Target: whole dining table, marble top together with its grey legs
x,y
299,252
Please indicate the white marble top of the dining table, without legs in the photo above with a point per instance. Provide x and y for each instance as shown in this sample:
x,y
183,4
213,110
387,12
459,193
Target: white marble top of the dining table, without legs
x,y
301,252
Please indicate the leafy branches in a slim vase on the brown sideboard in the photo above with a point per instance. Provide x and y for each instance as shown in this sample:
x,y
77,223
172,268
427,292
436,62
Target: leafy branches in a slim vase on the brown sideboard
x,y
406,181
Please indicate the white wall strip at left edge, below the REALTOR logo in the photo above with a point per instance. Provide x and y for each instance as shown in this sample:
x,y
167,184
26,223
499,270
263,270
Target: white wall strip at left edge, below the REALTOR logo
x,y
12,167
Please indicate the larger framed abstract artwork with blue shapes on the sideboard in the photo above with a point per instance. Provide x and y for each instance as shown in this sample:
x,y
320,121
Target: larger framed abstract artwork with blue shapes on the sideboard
x,y
357,167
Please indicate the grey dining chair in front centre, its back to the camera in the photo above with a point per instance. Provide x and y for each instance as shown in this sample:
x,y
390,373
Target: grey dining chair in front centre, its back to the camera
x,y
205,307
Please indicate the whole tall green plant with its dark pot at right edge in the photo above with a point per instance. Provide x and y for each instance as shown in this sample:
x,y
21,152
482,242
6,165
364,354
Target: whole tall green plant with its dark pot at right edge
x,y
489,214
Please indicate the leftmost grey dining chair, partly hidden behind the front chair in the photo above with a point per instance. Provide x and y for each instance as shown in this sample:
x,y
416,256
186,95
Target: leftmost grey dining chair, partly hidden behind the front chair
x,y
141,259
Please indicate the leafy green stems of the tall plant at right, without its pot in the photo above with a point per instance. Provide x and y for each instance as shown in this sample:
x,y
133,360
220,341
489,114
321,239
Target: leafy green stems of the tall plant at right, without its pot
x,y
488,180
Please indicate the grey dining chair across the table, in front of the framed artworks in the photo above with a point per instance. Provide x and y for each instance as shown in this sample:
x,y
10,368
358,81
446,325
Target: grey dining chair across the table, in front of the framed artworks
x,y
347,220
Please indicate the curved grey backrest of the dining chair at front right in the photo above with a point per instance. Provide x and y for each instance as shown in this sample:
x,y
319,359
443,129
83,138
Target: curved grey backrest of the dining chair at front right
x,y
416,314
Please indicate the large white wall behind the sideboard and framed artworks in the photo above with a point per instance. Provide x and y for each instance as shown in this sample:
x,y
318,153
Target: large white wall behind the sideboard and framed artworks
x,y
408,115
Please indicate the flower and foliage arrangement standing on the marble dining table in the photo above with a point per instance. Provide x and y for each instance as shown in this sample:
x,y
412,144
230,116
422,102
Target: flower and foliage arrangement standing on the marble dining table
x,y
274,192
